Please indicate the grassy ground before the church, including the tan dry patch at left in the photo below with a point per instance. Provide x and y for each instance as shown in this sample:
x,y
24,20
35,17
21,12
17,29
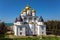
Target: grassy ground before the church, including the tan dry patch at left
x,y
7,37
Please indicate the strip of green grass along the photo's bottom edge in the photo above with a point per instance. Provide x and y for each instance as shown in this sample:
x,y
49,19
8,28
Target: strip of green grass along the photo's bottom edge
x,y
33,38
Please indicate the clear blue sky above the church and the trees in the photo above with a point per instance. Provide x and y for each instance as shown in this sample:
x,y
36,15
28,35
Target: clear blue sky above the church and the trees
x,y
10,9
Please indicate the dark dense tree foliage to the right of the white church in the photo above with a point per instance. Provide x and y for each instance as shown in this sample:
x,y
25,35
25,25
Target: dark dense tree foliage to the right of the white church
x,y
53,27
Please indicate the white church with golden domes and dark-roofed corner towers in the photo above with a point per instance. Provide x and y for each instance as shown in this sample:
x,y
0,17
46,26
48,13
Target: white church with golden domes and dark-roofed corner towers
x,y
28,24
